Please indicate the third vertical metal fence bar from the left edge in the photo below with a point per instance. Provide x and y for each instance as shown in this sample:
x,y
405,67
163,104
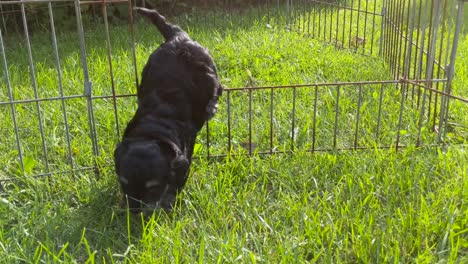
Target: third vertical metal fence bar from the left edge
x,y
60,83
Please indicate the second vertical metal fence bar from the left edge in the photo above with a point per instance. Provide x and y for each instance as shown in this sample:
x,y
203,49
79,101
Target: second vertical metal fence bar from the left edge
x,y
34,84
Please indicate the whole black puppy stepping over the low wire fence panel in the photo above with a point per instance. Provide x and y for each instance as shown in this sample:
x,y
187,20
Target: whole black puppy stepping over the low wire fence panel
x,y
178,93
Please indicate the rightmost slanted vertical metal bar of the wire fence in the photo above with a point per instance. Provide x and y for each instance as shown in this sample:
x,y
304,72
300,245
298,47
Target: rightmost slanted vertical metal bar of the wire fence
x,y
451,65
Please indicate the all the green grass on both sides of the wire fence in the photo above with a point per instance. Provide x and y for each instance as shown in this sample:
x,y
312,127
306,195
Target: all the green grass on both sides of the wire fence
x,y
374,206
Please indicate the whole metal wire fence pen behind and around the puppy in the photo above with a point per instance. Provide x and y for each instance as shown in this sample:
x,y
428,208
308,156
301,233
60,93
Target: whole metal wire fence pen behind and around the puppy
x,y
43,131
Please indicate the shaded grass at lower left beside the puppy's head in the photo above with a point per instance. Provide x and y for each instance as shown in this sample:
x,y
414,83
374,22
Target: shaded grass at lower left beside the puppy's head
x,y
66,218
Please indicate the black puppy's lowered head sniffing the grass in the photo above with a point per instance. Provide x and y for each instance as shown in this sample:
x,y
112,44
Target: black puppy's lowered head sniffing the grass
x,y
150,174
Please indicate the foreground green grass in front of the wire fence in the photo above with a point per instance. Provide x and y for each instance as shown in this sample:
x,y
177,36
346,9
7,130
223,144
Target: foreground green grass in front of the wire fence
x,y
375,206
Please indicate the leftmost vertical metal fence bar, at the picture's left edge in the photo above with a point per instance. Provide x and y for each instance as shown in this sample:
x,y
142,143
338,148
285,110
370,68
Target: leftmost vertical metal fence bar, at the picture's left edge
x,y
10,98
